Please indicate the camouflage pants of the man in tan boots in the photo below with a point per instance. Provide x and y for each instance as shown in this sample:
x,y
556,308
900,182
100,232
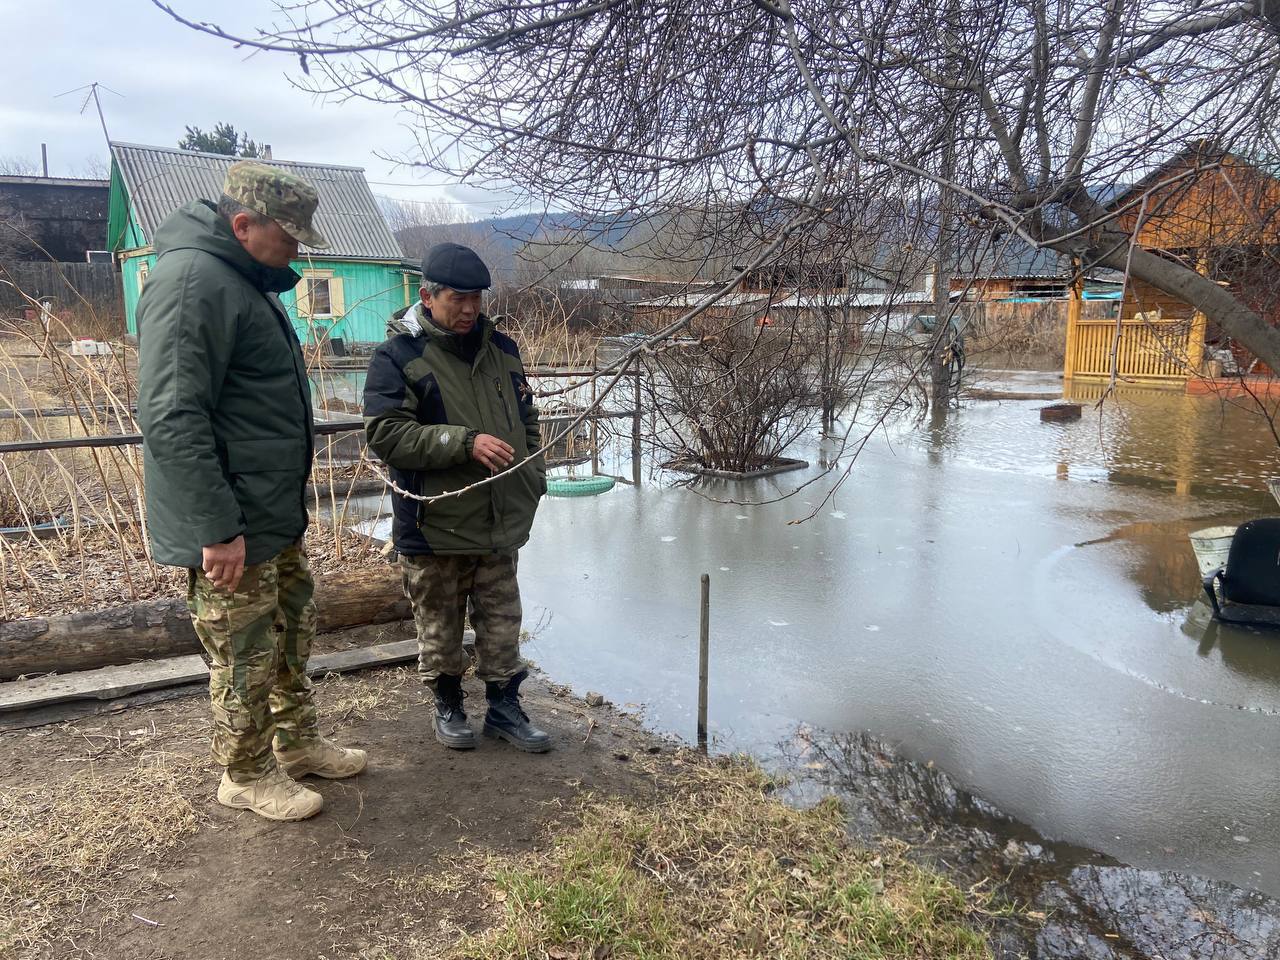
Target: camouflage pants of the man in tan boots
x,y
258,642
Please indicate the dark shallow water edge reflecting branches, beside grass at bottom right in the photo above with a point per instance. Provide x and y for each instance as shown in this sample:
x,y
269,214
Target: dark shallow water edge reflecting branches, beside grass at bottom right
x,y
1086,906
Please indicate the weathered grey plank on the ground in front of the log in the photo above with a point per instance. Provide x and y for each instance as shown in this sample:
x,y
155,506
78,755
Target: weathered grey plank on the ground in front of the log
x,y
112,683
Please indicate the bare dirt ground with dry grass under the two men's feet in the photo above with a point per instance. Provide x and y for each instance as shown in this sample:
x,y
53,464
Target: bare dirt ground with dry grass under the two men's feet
x,y
194,880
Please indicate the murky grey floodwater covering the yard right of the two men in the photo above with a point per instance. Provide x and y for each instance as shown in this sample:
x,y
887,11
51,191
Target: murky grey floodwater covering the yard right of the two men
x,y
1013,602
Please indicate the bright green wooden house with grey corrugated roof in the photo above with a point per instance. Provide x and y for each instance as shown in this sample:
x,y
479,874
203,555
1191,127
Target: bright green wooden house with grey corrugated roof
x,y
348,291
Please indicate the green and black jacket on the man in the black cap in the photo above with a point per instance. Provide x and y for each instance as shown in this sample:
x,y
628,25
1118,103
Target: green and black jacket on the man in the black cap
x,y
423,400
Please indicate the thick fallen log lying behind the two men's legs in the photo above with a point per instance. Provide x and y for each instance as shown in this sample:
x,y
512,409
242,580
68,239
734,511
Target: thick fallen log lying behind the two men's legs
x,y
157,629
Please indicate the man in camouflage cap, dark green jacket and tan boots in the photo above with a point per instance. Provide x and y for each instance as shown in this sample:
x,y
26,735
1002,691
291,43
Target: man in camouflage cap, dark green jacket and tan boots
x,y
226,412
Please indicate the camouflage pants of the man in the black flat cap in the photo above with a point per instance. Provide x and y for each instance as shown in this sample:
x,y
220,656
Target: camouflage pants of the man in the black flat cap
x,y
438,589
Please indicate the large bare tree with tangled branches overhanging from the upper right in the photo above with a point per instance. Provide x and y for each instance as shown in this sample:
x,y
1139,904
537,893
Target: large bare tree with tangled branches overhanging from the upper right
x,y
1043,106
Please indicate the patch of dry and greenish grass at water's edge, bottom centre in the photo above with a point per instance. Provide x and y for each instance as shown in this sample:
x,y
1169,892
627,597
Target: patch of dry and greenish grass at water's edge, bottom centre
x,y
716,868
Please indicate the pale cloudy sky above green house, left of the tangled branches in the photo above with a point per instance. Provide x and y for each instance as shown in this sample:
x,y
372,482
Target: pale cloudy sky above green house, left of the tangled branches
x,y
168,76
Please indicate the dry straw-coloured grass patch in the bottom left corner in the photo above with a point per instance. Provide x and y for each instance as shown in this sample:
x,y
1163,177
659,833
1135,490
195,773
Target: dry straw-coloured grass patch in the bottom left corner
x,y
83,849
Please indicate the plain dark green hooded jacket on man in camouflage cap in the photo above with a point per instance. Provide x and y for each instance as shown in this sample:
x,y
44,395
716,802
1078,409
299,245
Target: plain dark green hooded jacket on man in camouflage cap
x,y
223,396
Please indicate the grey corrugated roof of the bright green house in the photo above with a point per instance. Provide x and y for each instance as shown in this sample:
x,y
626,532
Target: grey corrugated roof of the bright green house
x,y
161,180
